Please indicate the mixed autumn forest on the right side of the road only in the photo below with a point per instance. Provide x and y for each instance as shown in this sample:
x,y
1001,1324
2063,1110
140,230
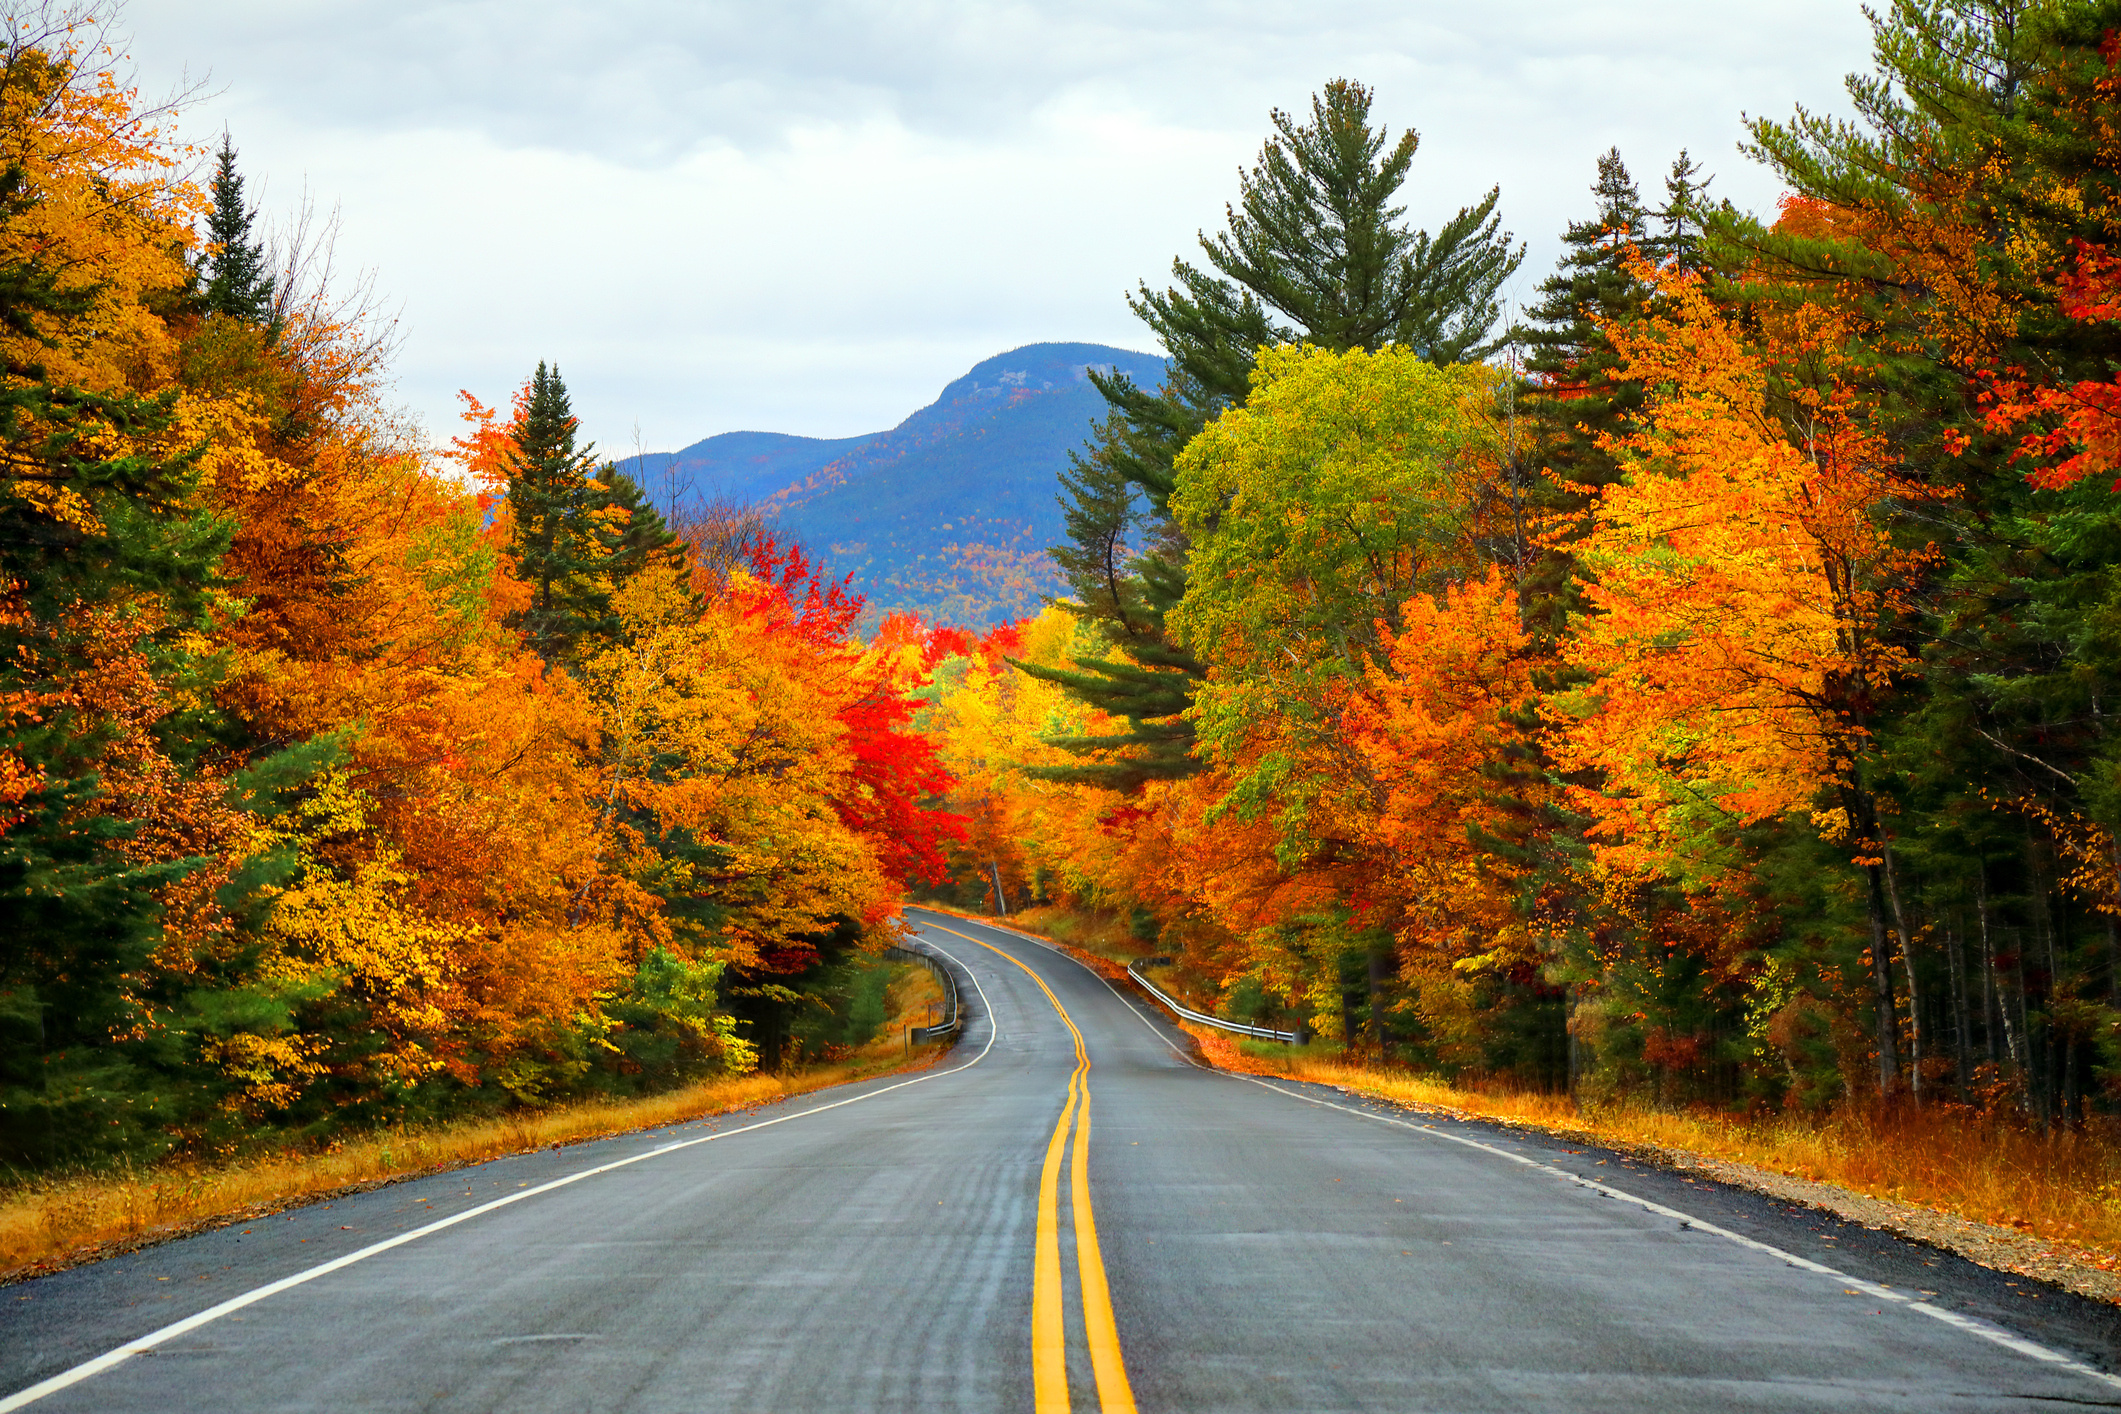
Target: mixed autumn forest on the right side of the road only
x,y
1687,690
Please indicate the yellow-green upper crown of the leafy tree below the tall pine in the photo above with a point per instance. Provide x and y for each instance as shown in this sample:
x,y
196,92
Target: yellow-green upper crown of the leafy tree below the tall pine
x,y
1314,514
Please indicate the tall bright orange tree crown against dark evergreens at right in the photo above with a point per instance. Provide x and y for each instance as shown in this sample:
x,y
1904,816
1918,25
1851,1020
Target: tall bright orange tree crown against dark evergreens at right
x,y
1740,586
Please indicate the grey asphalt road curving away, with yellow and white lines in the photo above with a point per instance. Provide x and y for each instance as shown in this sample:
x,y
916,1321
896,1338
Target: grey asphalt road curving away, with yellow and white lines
x,y
924,1243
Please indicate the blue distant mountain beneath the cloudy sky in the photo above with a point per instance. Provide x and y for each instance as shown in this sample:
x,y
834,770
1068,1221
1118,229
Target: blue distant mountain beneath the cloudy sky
x,y
947,514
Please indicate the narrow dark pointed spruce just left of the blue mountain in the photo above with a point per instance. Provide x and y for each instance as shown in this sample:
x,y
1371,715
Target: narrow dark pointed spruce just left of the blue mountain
x,y
563,542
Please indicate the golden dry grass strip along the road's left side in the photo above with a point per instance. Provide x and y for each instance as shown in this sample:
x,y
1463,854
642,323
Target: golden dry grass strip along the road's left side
x,y
60,1220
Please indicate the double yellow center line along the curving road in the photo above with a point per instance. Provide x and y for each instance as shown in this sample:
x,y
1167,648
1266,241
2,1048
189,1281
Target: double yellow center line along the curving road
x,y
1049,1320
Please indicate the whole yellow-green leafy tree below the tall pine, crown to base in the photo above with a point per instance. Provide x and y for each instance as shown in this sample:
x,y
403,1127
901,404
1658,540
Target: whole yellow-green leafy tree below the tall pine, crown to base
x,y
1342,493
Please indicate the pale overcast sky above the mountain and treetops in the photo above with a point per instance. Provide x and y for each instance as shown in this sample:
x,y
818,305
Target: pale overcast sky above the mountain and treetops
x,y
809,215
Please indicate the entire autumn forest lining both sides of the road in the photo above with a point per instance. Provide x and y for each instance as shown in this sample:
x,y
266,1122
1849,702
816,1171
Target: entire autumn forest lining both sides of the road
x,y
1683,690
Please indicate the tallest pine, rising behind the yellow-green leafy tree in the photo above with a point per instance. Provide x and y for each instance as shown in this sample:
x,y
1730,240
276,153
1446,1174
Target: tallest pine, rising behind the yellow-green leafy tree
x,y
1318,253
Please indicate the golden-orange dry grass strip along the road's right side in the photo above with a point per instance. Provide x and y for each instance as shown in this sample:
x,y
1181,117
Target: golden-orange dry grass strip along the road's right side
x,y
2063,1188
